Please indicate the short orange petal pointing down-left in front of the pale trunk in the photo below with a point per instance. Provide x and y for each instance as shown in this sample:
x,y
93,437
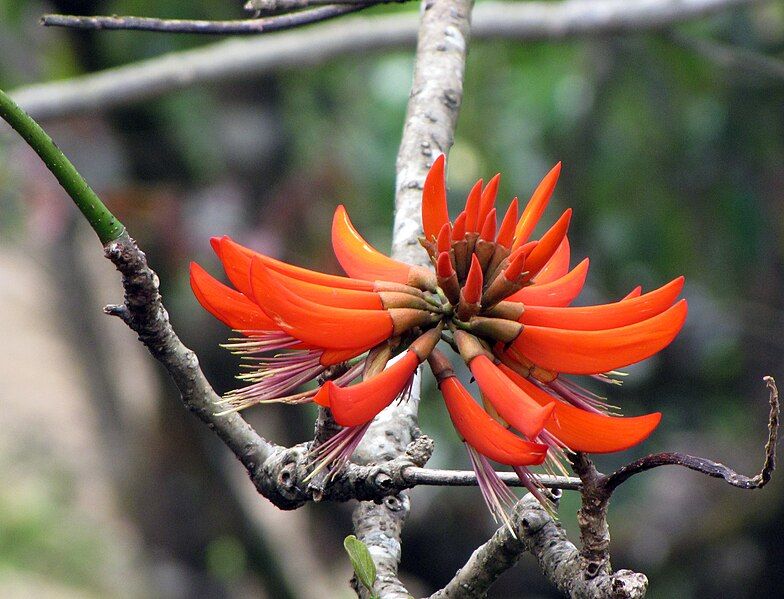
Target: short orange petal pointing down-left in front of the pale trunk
x,y
358,404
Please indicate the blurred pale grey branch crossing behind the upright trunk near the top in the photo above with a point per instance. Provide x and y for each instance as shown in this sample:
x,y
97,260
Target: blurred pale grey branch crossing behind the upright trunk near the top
x,y
239,59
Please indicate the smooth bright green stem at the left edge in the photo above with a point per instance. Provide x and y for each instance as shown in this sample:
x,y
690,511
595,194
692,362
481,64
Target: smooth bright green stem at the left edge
x,y
103,222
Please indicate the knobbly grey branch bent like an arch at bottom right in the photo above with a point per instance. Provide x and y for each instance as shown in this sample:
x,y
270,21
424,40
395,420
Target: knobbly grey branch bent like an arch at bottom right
x,y
559,559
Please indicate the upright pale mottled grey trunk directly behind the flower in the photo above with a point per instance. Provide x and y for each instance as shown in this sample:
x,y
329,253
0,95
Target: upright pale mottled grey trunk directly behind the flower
x,y
436,93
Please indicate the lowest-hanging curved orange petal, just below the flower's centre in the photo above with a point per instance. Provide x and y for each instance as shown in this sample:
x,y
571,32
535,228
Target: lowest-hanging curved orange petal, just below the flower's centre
x,y
483,433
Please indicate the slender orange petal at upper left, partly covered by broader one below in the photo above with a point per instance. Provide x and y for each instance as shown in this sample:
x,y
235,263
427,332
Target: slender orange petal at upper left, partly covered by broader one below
x,y
239,261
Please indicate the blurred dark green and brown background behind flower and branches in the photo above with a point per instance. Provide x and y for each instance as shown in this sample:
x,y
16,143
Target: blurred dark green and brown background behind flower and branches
x,y
672,163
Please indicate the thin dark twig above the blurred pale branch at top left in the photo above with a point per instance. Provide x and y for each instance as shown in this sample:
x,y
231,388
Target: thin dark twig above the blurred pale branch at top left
x,y
237,27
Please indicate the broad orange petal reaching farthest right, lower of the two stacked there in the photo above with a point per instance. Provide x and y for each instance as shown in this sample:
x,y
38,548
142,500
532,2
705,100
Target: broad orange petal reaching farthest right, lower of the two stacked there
x,y
592,352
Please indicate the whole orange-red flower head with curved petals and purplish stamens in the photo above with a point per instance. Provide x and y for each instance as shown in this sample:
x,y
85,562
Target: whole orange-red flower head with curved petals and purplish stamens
x,y
499,298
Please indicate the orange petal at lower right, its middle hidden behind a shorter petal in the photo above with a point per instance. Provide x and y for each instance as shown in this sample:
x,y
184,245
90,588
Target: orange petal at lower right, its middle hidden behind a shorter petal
x,y
586,431
